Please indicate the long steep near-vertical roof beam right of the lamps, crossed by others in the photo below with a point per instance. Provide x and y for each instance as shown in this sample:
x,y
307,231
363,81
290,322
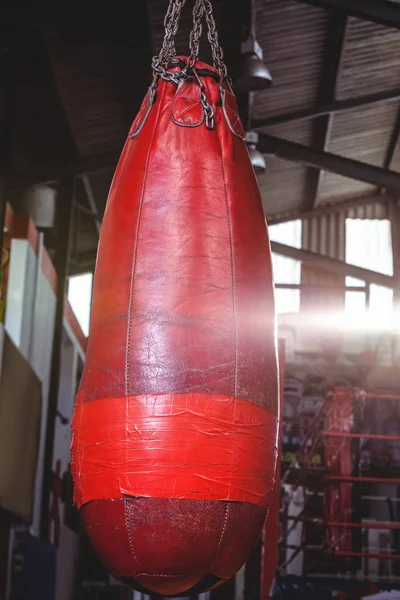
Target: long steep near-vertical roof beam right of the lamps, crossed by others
x,y
333,62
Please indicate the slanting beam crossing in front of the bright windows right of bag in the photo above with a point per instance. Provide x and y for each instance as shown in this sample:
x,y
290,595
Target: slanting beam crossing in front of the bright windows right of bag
x,y
332,264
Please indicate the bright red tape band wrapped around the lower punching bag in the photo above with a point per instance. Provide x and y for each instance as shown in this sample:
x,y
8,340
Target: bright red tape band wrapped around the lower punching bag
x,y
193,446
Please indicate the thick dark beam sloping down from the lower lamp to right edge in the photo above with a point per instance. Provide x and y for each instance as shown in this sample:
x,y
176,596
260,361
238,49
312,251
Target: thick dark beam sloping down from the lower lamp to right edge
x,y
326,161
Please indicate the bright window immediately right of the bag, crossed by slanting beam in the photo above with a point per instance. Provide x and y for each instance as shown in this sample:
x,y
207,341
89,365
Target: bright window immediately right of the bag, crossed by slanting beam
x,y
285,269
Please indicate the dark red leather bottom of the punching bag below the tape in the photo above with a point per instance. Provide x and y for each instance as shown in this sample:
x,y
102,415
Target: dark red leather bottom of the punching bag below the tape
x,y
189,538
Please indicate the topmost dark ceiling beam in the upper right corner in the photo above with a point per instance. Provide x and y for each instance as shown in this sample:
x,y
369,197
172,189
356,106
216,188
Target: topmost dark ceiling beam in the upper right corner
x,y
382,12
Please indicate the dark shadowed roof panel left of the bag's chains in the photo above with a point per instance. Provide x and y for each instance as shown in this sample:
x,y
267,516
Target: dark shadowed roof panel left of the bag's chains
x,y
101,84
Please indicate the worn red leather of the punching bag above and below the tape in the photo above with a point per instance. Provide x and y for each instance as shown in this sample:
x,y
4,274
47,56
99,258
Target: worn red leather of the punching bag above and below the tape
x,y
182,303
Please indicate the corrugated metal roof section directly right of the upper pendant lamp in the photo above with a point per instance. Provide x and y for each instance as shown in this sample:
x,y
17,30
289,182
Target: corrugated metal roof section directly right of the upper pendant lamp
x,y
292,36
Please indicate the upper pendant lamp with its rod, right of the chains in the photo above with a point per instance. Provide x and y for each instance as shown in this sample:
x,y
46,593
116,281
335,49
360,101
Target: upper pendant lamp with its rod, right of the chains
x,y
254,75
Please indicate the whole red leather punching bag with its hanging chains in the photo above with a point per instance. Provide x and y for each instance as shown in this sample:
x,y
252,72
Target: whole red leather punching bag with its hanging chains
x,y
175,425
